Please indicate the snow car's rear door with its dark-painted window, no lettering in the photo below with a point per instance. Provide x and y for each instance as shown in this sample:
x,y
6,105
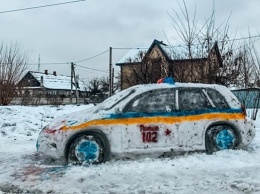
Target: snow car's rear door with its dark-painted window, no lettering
x,y
194,107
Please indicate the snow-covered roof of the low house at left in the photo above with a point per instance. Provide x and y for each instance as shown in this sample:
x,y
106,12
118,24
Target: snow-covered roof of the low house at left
x,y
51,81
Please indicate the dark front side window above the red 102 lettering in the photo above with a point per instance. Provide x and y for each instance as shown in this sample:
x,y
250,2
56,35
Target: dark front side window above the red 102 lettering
x,y
160,100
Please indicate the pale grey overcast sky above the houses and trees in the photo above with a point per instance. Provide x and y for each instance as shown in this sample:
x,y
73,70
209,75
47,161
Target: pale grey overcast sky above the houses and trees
x,y
78,31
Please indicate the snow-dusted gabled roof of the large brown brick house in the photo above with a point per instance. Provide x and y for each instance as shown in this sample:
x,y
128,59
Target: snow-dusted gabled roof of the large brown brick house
x,y
170,52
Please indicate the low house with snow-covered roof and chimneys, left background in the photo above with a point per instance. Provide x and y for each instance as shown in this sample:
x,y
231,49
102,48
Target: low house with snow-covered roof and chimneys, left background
x,y
50,86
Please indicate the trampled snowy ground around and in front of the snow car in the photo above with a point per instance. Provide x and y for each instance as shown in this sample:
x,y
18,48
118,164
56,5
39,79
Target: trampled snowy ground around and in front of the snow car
x,y
231,171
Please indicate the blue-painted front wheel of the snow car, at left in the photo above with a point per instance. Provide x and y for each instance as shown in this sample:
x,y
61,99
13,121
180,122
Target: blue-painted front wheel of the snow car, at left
x,y
90,148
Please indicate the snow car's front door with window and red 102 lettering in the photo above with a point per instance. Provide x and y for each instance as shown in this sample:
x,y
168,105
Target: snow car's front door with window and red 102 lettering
x,y
150,123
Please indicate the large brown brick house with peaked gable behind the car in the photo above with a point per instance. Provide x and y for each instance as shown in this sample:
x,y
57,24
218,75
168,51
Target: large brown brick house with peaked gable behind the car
x,y
167,61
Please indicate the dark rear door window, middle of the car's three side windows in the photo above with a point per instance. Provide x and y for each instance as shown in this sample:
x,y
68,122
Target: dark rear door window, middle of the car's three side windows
x,y
193,99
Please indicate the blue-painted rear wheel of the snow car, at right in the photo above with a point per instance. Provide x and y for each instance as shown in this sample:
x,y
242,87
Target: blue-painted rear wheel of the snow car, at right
x,y
221,137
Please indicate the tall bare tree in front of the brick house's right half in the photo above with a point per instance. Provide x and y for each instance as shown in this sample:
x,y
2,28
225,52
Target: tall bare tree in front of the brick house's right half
x,y
199,41
